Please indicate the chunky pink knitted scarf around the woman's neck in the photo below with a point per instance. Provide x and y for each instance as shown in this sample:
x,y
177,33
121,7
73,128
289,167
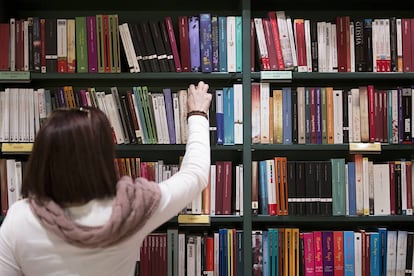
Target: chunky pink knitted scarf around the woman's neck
x,y
134,203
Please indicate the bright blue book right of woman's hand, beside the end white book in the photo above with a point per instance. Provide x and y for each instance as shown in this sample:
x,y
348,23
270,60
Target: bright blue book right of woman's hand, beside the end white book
x,y
228,111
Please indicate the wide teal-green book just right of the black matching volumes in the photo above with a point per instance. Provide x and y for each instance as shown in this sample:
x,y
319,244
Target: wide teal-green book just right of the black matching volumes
x,y
338,186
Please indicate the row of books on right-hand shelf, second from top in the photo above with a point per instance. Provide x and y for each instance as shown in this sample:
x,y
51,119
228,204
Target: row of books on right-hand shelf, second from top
x,y
329,115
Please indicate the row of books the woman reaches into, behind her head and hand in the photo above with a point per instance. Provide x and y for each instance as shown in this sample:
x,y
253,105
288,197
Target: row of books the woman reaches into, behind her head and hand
x,y
137,115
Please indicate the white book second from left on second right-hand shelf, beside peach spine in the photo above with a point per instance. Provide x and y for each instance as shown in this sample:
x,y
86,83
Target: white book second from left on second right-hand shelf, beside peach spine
x,y
264,114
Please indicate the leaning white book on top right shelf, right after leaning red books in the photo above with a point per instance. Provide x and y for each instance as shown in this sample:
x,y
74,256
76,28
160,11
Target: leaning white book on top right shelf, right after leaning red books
x,y
284,40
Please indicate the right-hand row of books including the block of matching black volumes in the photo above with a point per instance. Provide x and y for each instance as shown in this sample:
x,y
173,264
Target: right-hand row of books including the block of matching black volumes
x,y
358,187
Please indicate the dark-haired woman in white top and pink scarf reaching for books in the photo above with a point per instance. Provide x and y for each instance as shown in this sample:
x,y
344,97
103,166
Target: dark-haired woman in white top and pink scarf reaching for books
x,y
73,219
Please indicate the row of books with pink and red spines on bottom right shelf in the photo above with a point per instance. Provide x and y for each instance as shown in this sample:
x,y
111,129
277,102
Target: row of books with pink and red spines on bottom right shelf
x,y
289,251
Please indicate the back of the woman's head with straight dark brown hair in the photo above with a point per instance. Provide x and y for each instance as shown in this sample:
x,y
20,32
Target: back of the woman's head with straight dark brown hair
x,y
72,160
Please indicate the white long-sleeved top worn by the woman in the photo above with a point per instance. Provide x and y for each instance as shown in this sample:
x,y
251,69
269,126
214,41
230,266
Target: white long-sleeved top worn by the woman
x,y
27,248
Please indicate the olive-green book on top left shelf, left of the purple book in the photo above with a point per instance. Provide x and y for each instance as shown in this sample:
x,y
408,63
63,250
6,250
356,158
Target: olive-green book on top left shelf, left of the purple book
x,y
81,45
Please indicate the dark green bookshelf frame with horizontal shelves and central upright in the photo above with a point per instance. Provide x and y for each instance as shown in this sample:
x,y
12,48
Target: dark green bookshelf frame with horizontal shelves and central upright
x,y
245,153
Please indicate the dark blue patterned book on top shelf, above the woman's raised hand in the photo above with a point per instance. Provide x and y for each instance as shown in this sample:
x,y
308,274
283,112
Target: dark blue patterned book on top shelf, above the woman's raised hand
x,y
206,50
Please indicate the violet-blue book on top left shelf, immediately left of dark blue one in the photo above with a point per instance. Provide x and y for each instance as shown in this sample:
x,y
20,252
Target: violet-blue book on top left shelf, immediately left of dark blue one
x,y
194,37
